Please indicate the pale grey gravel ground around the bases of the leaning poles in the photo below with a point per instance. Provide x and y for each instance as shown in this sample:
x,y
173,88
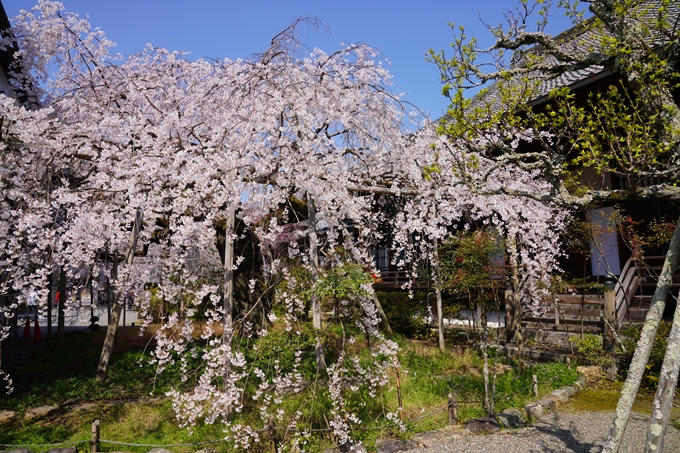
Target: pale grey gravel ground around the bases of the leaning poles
x,y
560,432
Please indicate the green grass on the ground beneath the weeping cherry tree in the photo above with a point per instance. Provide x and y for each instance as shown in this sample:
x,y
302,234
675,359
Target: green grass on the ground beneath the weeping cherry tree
x,y
55,376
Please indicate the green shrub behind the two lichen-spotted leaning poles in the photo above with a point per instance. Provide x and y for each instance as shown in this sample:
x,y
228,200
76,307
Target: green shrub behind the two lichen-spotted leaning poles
x,y
631,334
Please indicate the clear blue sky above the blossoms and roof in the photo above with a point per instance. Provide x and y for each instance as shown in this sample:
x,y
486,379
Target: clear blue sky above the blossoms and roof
x,y
402,30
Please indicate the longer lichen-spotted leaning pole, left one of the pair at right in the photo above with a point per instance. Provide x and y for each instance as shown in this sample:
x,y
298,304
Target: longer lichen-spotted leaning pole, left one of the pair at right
x,y
644,346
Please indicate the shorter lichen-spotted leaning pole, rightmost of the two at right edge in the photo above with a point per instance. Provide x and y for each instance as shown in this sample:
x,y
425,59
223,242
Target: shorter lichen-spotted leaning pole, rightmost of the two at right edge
x,y
665,392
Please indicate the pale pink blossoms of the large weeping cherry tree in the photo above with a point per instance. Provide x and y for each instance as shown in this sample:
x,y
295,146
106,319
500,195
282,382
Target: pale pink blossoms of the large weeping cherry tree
x,y
188,142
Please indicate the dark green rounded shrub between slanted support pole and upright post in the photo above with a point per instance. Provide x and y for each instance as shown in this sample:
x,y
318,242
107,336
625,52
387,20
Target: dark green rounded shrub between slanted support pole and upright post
x,y
404,314
